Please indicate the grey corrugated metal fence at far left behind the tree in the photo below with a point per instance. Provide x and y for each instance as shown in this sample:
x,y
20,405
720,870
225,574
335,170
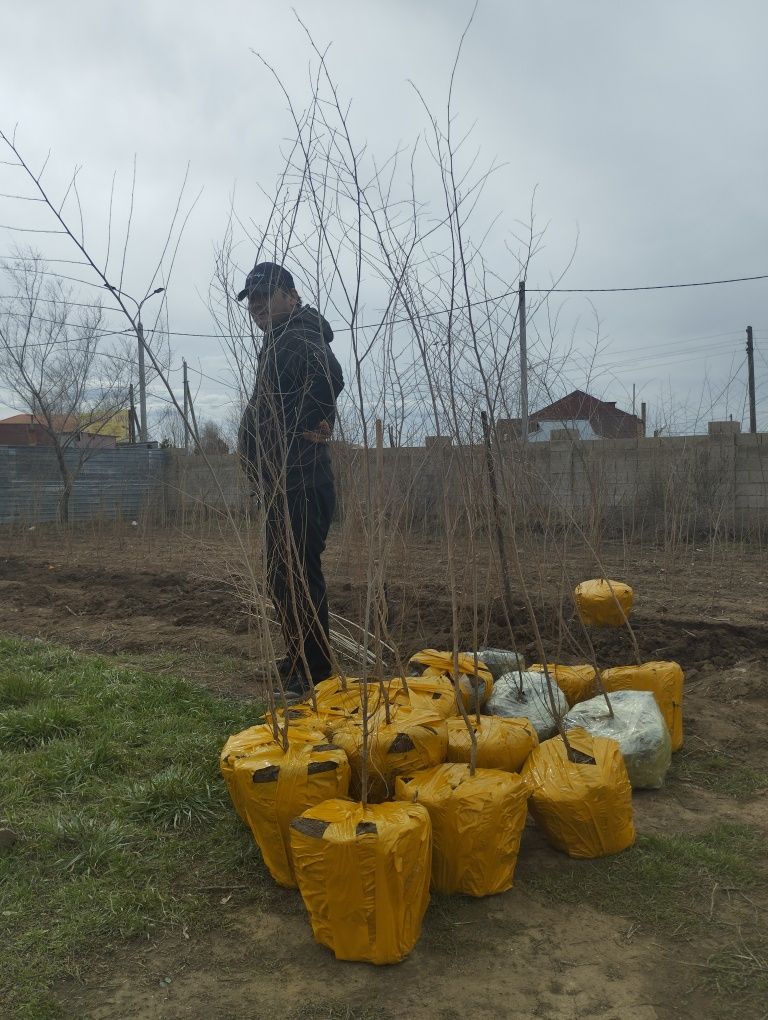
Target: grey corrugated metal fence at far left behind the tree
x,y
111,484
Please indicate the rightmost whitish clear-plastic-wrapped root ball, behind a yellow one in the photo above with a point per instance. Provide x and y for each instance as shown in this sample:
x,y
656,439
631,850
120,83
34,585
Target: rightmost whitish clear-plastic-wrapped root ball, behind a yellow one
x,y
639,729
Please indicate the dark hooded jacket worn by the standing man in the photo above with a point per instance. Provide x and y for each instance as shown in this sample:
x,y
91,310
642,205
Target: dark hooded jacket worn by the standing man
x,y
298,380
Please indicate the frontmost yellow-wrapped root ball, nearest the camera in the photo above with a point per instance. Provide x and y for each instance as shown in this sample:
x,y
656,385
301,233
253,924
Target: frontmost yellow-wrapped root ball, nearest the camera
x,y
365,877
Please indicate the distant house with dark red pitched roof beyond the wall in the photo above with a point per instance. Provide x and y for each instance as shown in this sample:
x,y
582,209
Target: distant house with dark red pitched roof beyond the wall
x,y
579,417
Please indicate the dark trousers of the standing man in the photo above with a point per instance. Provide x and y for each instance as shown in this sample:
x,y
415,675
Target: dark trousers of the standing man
x,y
297,526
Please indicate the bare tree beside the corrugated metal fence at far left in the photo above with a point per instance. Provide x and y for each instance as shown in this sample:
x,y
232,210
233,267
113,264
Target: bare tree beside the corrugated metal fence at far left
x,y
52,360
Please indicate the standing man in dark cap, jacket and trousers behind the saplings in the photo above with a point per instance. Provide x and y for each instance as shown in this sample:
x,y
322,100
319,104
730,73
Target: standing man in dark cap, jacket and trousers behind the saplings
x,y
283,445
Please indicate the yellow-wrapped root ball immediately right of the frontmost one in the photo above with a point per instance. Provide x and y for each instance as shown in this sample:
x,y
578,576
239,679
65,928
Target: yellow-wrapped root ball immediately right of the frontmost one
x,y
478,823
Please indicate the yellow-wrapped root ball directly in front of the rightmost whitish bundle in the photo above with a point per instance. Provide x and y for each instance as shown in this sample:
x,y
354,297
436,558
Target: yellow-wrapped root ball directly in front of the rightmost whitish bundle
x,y
586,810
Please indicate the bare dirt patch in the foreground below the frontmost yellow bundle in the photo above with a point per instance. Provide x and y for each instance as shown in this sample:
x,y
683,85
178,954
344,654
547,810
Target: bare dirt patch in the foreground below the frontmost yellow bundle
x,y
270,967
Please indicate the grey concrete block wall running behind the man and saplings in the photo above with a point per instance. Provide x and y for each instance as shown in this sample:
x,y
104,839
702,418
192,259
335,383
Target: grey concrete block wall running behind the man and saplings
x,y
692,484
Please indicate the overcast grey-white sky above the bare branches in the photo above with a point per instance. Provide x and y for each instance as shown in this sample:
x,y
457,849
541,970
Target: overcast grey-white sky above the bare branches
x,y
641,127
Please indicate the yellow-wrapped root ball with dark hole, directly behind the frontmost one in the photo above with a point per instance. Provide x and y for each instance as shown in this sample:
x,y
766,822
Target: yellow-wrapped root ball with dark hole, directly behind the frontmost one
x,y
413,741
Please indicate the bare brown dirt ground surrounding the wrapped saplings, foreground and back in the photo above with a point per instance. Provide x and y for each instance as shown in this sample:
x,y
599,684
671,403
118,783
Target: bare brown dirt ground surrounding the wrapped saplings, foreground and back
x,y
520,955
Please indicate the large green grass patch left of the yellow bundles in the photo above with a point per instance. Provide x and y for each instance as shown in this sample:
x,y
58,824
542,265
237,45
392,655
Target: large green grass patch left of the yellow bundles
x,y
110,777
